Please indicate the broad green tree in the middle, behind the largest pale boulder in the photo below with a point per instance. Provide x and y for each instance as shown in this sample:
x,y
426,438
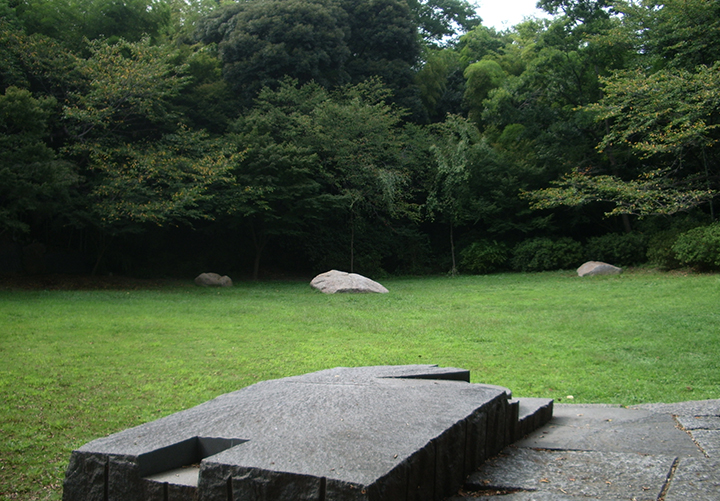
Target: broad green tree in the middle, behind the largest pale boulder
x,y
318,167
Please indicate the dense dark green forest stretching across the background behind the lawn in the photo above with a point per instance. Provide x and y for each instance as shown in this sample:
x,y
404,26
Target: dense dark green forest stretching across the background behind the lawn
x,y
274,137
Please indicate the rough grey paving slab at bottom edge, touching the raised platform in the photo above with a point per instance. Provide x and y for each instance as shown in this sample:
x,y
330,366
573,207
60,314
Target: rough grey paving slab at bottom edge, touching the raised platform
x,y
575,474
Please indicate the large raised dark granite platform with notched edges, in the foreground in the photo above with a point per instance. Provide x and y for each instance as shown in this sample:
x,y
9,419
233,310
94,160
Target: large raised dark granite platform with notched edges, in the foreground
x,y
388,433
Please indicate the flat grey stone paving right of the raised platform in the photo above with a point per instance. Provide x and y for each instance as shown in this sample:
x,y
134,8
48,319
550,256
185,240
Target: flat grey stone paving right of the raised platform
x,y
654,452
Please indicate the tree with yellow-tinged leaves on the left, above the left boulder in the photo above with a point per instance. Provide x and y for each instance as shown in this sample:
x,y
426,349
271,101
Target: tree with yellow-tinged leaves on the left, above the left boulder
x,y
142,167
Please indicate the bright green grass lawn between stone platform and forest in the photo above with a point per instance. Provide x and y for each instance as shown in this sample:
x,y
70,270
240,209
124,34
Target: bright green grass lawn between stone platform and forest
x,y
78,365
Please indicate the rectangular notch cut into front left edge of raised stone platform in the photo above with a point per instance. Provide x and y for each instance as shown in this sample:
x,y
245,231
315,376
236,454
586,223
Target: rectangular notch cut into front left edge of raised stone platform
x,y
182,454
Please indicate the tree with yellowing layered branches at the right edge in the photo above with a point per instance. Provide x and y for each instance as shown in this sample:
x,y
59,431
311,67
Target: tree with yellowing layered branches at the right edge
x,y
664,113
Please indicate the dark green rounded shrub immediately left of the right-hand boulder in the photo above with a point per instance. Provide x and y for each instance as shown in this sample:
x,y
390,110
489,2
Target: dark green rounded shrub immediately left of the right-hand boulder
x,y
541,254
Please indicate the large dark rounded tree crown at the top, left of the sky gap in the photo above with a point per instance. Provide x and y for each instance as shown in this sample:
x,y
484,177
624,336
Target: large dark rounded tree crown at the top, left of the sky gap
x,y
329,42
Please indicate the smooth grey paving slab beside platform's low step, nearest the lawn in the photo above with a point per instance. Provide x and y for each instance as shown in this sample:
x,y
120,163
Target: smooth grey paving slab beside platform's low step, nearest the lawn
x,y
612,429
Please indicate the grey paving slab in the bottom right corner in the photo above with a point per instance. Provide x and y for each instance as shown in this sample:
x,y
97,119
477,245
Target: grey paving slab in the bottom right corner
x,y
696,480
